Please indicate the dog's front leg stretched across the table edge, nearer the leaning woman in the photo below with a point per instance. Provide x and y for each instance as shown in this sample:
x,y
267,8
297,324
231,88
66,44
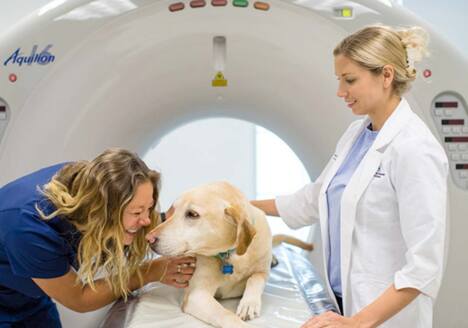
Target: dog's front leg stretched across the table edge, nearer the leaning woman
x,y
201,304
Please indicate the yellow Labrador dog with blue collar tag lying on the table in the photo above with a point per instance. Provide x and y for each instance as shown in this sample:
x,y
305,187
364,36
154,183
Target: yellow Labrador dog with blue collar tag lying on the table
x,y
232,242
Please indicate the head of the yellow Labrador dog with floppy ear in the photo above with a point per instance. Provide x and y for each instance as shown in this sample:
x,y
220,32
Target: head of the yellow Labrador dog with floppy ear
x,y
206,221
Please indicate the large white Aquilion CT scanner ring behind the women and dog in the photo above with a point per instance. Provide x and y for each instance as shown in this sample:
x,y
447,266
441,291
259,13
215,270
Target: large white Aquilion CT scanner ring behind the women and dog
x,y
79,76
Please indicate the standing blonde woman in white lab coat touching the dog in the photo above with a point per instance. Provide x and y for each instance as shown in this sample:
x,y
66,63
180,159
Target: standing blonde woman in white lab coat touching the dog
x,y
381,199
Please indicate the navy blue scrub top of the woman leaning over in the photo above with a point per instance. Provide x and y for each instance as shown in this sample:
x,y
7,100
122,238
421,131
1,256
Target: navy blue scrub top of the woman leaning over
x,y
31,247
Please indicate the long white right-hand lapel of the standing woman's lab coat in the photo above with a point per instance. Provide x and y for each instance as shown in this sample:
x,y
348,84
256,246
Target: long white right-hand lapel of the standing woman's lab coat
x,y
361,179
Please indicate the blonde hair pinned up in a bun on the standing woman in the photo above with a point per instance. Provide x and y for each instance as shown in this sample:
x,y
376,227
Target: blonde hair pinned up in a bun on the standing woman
x,y
374,47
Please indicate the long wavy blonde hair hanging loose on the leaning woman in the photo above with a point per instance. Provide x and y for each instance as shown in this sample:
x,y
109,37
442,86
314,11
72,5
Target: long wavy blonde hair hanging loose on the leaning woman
x,y
92,196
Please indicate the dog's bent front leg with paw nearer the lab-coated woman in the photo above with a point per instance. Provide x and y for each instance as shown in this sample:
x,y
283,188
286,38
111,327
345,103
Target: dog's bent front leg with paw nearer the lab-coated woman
x,y
251,303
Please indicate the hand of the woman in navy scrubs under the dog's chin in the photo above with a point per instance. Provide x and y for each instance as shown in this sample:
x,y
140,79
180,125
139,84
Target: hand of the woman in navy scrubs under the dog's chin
x,y
174,271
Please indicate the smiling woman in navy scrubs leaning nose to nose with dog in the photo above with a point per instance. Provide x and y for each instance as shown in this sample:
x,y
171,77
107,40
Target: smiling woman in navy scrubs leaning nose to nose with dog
x,y
62,224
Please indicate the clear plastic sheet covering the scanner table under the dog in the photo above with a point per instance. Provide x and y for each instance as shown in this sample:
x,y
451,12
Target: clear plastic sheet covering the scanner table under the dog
x,y
294,292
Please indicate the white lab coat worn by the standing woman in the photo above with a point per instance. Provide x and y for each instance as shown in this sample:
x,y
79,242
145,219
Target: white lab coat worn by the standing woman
x,y
393,216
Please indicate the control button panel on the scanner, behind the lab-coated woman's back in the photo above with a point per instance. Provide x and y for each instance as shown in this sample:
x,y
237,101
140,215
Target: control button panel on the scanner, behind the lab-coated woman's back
x,y
450,115
